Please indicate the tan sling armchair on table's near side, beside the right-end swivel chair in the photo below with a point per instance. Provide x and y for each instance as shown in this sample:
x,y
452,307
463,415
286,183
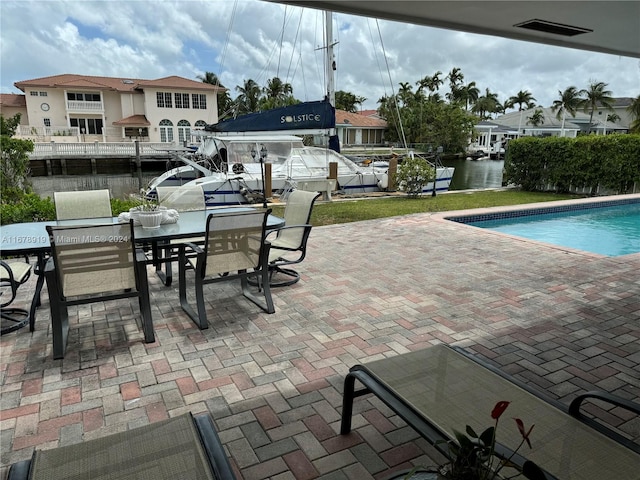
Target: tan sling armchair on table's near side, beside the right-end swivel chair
x,y
235,248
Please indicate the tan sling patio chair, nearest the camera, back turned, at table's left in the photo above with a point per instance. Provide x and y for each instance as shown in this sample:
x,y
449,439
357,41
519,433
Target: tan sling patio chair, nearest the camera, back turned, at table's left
x,y
94,263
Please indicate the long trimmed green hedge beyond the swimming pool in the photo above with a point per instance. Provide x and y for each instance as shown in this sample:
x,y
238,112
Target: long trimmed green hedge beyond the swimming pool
x,y
570,164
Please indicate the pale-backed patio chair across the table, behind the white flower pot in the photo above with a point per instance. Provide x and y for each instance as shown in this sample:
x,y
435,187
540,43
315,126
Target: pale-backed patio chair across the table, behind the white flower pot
x,y
183,199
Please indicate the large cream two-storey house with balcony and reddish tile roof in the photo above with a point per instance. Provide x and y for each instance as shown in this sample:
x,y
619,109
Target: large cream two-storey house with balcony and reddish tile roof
x,y
81,108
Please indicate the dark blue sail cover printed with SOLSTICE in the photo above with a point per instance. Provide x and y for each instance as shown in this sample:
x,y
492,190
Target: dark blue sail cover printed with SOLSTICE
x,y
302,116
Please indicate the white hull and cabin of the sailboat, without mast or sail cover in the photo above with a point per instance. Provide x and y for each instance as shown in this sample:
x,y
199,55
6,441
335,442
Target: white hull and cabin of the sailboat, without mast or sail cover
x,y
229,168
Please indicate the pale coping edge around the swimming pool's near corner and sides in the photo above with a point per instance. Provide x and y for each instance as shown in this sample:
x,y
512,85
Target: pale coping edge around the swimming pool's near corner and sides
x,y
461,217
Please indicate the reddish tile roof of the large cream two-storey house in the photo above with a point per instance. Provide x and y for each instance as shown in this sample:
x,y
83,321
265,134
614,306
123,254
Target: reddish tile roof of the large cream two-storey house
x,y
120,84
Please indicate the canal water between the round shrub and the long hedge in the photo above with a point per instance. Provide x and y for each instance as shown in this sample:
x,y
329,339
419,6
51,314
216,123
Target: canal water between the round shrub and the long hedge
x,y
475,174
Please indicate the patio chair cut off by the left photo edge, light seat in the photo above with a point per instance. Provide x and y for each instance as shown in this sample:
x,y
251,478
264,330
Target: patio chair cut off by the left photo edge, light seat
x,y
13,274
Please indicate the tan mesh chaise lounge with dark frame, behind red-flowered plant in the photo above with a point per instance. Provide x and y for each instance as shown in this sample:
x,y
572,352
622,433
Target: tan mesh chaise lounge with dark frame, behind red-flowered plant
x,y
440,389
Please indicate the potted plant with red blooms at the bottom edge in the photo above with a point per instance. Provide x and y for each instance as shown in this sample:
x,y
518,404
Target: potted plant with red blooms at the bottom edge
x,y
473,456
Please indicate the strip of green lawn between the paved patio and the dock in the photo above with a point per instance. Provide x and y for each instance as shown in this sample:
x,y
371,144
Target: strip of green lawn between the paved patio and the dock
x,y
345,211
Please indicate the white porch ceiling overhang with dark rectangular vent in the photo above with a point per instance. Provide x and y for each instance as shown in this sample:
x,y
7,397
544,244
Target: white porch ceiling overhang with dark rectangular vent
x,y
608,26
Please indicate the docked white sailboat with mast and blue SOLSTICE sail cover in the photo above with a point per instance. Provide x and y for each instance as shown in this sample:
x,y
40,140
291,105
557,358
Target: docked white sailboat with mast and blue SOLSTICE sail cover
x,y
229,163
